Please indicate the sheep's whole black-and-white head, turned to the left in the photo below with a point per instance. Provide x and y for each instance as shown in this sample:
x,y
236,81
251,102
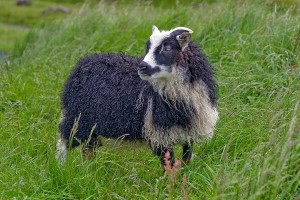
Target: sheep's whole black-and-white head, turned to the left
x,y
161,52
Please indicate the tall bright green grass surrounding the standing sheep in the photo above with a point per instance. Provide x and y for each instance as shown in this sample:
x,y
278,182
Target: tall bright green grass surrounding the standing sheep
x,y
254,47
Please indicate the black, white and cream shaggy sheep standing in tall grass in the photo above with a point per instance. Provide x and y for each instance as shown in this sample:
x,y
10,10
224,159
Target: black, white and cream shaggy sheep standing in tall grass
x,y
166,98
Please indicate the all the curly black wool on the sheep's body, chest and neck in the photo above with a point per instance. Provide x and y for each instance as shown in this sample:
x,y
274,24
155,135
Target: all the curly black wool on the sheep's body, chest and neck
x,y
105,90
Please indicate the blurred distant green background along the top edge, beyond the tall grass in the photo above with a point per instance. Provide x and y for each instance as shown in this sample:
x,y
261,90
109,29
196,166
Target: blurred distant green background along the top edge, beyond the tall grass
x,y
16,20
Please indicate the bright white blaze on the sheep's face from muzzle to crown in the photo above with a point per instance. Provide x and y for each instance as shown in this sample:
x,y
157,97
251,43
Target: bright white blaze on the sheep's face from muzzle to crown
x,y
156,39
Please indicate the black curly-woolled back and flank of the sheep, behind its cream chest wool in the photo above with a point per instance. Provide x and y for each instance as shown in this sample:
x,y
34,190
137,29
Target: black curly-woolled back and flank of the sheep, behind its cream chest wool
x,y
104,90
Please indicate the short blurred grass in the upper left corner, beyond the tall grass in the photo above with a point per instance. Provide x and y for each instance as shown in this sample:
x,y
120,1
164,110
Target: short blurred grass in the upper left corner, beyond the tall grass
x,y
16,20
